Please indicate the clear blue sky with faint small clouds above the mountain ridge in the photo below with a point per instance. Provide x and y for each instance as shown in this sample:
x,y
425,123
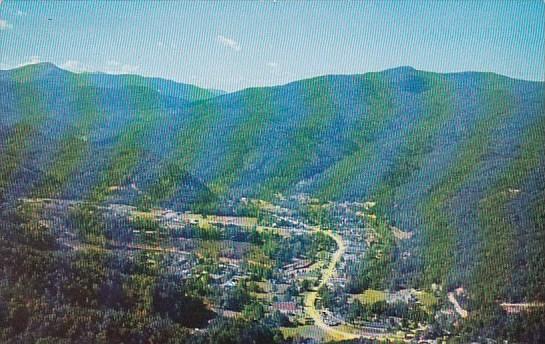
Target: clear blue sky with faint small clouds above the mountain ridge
x,y
234,45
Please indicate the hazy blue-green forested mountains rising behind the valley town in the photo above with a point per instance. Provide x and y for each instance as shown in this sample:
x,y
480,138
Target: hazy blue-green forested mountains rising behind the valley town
x,y
458,159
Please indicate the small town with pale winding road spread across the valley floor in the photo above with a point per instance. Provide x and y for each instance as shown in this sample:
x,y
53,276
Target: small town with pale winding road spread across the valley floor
x,y
223,255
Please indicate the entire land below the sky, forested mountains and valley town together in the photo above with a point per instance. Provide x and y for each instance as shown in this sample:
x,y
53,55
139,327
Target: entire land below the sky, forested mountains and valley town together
x,y
400,205
